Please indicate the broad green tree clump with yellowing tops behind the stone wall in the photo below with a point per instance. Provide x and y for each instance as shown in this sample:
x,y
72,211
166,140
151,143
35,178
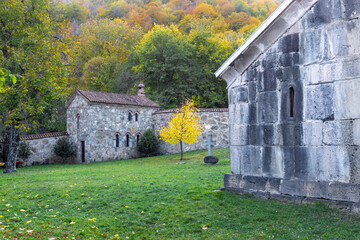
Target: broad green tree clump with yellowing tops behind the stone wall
x,y
177,66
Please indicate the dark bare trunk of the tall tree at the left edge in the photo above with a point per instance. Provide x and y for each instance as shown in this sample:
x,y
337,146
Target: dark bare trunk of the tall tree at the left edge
x,y
11,144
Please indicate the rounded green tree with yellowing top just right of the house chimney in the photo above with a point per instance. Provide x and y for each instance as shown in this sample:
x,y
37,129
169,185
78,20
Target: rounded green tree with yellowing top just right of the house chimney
x,y
164,59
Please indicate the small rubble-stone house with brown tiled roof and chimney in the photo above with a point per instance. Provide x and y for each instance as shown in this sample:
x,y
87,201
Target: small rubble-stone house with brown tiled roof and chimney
x,y
107,126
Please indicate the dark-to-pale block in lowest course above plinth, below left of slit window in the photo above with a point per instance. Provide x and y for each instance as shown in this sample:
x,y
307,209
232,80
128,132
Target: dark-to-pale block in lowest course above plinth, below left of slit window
x,y
273,163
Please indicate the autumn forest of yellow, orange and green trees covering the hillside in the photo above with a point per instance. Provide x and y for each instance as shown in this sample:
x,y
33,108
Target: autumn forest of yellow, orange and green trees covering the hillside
x,y
48,49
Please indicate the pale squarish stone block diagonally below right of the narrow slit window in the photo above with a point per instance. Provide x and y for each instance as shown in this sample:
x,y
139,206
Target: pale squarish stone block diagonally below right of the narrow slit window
x,y
312,133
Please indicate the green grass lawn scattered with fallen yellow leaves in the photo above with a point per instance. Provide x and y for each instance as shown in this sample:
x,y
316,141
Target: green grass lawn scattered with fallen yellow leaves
x,y
153,198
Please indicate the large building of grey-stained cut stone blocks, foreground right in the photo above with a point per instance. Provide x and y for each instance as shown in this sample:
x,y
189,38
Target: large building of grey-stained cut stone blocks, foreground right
x,y
294,102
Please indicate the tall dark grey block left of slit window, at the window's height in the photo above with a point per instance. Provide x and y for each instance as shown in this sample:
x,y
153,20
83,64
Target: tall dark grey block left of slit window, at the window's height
x,y
268,110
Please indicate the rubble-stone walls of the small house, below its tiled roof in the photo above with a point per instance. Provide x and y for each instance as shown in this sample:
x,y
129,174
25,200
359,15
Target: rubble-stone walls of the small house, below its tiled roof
x,y
100,123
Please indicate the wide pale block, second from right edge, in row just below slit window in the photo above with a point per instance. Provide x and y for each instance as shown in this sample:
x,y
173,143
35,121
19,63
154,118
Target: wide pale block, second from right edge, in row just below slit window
x,y
338,133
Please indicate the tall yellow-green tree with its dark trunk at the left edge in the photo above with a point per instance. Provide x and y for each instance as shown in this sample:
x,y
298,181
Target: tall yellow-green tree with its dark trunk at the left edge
x,y
31,49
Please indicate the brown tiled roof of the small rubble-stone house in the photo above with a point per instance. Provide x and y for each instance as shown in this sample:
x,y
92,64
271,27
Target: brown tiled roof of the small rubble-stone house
x,y
115,98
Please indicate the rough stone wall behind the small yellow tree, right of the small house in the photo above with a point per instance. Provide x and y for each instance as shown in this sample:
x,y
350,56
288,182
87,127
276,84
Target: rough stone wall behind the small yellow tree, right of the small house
x,y
215,122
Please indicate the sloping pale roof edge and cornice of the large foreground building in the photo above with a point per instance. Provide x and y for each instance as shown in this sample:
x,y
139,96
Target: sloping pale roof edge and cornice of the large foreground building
x,y
285,16
